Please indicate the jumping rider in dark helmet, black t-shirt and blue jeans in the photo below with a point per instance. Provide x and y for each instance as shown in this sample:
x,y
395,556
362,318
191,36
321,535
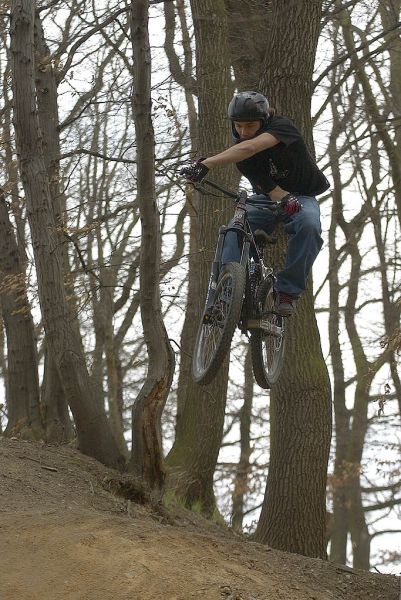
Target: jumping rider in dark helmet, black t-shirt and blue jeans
x,y
271,153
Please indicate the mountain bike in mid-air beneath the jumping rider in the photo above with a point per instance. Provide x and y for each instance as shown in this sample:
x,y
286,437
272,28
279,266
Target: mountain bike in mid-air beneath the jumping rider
x,y
241,295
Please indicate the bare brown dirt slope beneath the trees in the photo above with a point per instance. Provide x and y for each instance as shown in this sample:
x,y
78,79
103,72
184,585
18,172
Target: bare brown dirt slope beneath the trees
x,y
63,536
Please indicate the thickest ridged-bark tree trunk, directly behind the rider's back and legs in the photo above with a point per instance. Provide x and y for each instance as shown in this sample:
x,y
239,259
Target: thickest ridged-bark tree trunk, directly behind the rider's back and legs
x,y
293,516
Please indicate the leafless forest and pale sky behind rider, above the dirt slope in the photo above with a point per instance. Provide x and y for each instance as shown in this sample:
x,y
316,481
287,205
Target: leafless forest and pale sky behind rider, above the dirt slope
x,y
93,211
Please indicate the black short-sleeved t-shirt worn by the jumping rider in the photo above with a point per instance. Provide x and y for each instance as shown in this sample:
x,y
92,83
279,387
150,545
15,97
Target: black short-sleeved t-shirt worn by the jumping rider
x,y
288,164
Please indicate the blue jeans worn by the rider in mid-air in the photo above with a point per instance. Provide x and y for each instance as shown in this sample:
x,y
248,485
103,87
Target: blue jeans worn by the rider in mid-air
x,y
303,247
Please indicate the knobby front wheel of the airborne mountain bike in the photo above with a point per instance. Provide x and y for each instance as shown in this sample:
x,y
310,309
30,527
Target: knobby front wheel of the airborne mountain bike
x,y
213,340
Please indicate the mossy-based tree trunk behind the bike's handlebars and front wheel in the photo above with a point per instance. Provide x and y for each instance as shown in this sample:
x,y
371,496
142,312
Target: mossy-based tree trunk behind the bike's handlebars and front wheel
x,y
193,457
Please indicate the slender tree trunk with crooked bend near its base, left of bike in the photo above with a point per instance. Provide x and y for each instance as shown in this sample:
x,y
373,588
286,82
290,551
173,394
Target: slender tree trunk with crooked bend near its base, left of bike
x,y
147,456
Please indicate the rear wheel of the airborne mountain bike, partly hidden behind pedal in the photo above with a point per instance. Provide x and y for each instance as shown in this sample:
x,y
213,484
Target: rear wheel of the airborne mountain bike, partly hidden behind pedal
x,y
267,350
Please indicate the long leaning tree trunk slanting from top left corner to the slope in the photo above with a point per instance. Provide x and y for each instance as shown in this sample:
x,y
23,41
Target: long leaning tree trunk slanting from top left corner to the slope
x,y
94,435
